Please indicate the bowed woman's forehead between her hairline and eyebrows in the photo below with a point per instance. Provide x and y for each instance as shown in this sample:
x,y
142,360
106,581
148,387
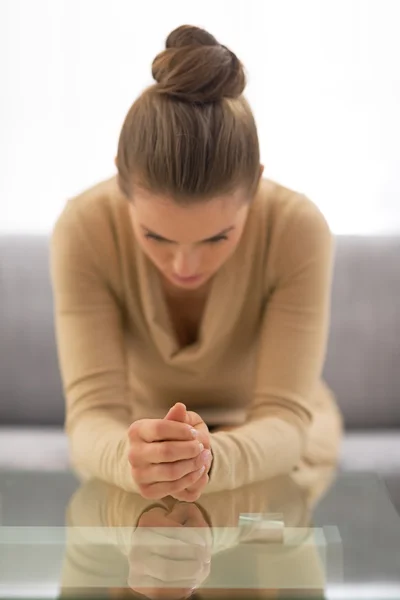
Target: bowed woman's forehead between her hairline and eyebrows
x,y
200,220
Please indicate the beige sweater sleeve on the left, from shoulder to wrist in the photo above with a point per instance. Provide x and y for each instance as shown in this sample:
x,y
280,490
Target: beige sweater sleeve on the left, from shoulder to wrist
x,y
89,333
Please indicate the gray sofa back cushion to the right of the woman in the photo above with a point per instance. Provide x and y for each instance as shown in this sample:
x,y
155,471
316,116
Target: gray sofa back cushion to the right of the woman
x,y
363,358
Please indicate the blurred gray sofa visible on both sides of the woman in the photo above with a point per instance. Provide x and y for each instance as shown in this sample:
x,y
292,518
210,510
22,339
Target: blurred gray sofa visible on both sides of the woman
x,y
362,364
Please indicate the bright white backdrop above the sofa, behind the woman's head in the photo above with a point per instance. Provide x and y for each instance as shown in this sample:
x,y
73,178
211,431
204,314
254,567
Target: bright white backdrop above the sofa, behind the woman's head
x,y
324,83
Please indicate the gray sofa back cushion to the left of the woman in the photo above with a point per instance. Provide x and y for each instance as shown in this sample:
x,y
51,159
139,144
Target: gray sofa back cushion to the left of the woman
x,y
30,385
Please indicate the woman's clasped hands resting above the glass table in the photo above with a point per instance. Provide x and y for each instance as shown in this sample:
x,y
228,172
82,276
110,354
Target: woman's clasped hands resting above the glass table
x,y
171,456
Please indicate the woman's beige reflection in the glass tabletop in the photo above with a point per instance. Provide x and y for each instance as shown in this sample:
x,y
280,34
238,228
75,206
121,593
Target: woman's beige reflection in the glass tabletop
x,y
163,549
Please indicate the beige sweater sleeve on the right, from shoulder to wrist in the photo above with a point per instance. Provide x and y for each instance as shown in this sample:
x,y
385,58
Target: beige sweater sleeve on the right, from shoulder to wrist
x,y
291,354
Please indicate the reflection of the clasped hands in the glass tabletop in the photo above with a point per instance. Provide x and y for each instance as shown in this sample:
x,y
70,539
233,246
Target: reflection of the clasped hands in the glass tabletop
x,y
171,552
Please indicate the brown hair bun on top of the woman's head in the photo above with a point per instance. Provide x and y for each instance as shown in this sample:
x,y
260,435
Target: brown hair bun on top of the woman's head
x,y
194,67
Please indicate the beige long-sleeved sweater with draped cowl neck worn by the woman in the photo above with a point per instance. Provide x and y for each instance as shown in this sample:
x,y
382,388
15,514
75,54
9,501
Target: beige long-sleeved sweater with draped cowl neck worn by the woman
x,y
259,358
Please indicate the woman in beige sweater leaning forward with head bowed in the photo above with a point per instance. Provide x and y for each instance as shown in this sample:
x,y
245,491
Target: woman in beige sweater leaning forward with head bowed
x,y
192,297
